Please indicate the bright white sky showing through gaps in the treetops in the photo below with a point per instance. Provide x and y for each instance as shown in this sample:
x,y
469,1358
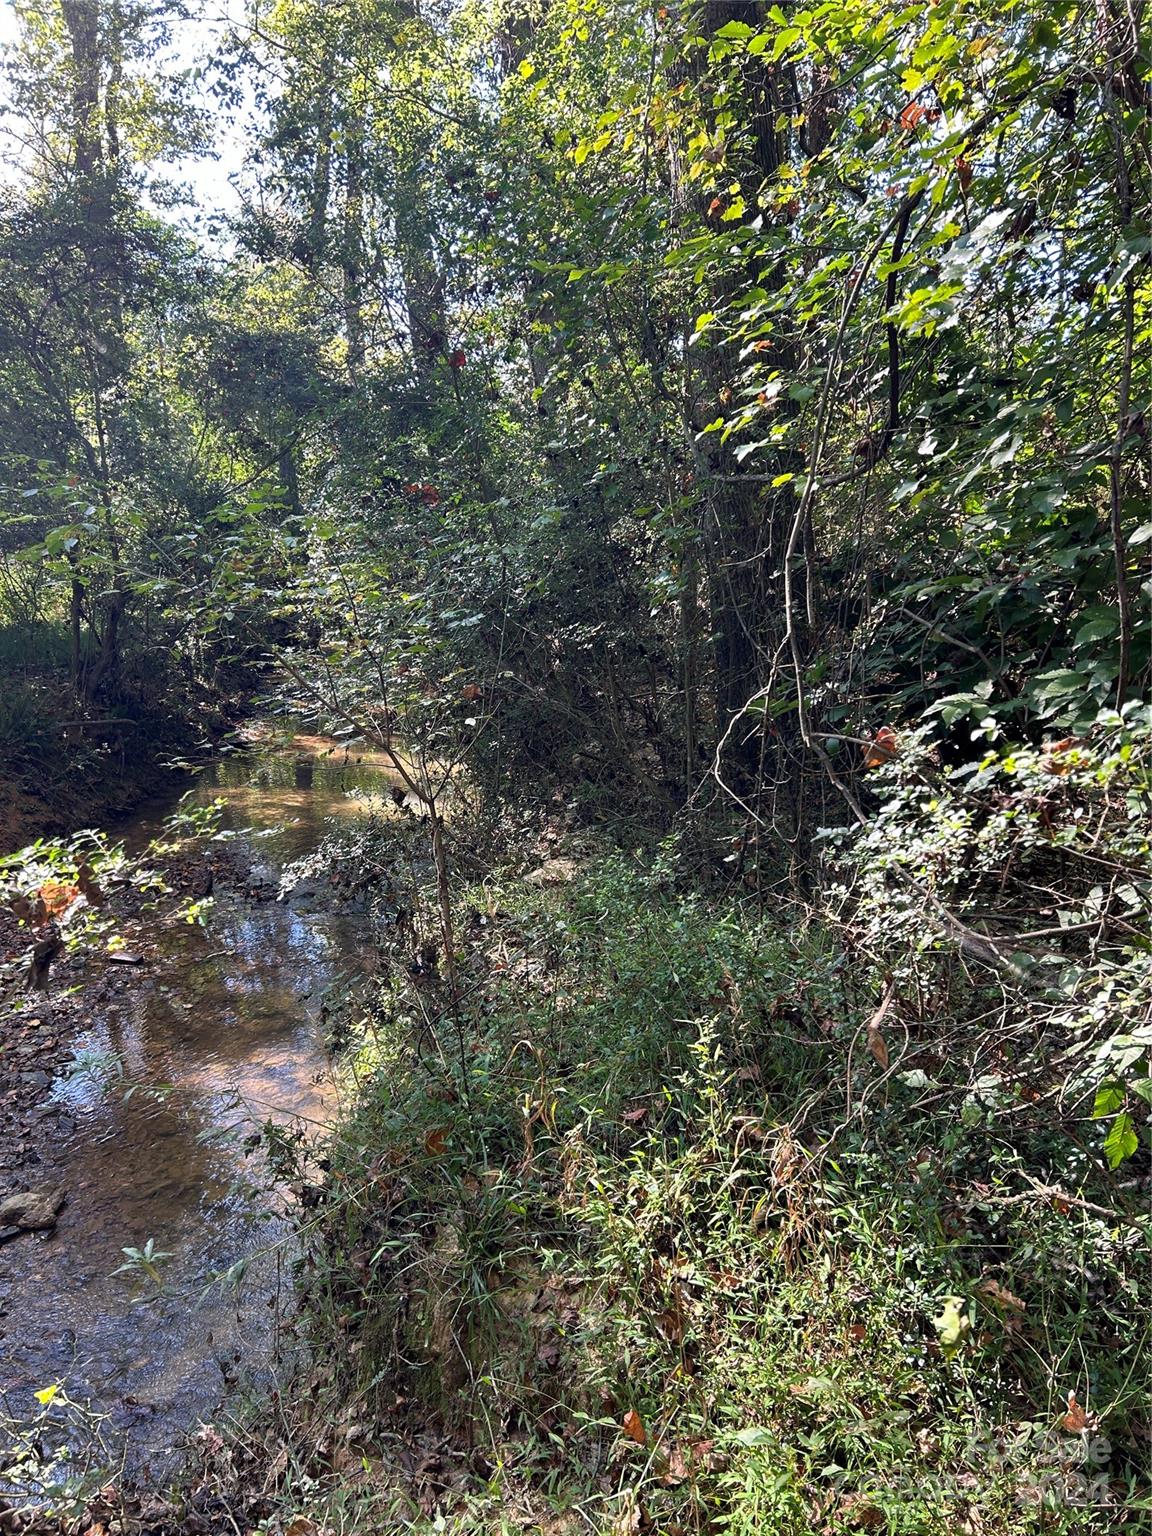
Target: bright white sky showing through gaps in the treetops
x,y
211,179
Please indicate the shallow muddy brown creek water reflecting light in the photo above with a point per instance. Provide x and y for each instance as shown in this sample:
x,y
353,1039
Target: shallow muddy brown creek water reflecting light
x,y
219,1033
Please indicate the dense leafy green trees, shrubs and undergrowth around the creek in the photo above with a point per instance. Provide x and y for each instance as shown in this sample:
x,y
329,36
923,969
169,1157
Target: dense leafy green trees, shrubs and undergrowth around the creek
x,y
727,422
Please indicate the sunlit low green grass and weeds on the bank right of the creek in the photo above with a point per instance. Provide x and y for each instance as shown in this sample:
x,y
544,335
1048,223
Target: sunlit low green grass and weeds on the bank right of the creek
x,y
646,1234
